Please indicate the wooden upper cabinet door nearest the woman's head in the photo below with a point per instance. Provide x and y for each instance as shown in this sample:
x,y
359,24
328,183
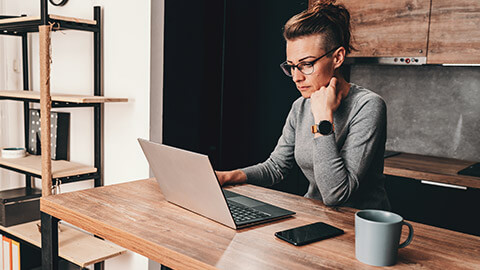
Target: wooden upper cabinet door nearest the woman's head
x,y
389,28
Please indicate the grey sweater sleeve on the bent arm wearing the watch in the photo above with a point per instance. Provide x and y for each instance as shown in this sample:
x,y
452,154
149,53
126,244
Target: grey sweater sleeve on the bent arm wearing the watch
x,y
338,172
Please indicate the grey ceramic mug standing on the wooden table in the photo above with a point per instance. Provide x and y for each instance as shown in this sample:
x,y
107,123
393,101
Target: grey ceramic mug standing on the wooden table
x,y
377,236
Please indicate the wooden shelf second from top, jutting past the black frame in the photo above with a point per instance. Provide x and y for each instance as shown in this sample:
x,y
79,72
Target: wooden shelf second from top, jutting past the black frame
x,y
35,97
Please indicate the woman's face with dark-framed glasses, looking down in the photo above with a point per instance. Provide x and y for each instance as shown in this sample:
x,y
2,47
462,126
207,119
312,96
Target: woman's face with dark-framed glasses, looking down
x,y
305,49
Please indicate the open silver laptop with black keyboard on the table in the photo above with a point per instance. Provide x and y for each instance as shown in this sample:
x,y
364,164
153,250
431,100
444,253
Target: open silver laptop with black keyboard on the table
x,y
188,180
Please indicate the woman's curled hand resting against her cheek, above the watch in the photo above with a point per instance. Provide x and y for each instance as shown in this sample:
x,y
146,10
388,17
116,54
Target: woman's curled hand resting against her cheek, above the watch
x,y
325,101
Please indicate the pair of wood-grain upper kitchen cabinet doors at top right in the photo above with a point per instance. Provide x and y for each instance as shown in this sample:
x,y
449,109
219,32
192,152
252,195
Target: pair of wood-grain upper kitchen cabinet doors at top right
x,y
446,32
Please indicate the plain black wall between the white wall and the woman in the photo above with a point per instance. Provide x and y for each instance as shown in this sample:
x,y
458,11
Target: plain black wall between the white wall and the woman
x,y
224,92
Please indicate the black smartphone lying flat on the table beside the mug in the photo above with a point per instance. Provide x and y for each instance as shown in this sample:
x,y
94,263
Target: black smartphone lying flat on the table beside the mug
x,y
309,233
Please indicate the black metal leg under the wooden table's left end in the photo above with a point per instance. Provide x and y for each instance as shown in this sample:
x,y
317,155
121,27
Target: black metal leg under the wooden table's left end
x,y
49,242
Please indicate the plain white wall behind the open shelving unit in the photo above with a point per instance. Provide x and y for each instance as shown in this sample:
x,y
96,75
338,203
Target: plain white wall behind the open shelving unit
x,y
126,62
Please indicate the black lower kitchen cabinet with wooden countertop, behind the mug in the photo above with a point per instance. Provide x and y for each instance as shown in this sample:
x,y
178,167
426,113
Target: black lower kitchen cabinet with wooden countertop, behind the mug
x,y
428,190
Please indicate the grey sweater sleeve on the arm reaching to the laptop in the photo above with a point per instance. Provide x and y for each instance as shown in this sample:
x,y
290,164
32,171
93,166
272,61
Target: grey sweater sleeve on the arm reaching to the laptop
x,y
281,160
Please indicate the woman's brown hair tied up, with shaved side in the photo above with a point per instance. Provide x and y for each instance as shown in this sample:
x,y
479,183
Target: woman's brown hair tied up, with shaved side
x,y
323,17
